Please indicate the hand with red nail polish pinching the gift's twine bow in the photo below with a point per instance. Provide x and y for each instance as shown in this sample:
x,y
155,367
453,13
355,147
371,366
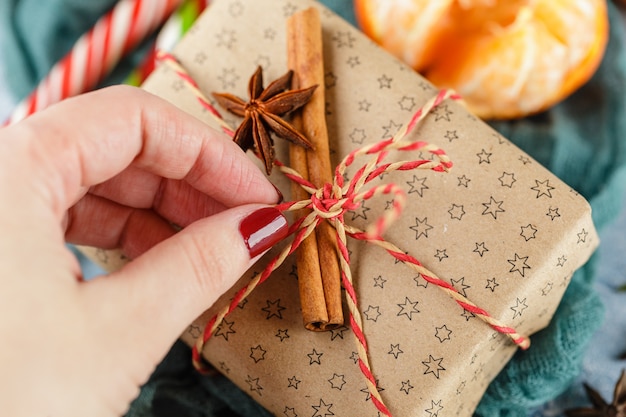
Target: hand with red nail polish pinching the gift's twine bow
x,y
115,168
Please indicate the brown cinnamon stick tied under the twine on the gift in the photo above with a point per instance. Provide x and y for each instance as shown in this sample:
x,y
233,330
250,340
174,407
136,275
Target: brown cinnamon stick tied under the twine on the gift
x,y
317,259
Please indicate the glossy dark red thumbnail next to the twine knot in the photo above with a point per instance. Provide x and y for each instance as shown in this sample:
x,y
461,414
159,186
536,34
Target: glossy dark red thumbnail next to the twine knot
x,y
262,229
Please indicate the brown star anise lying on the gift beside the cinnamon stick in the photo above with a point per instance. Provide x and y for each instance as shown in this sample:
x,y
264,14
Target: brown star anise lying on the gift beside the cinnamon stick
x,y
262,114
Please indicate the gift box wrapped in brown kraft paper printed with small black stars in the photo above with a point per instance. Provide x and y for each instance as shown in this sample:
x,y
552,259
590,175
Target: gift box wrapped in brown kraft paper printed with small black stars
x,y
501,229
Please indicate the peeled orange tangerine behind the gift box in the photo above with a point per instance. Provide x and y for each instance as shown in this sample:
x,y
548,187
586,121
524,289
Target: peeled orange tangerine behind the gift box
x,y
507,58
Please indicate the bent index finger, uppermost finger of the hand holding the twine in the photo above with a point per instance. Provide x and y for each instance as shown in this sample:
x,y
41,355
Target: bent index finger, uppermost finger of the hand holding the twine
x,y
88,139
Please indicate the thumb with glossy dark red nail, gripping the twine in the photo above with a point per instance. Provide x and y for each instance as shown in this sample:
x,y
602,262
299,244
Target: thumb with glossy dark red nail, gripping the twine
x,y
162,291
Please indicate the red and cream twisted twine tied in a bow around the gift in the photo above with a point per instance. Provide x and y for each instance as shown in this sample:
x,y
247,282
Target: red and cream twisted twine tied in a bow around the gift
x,y
330,203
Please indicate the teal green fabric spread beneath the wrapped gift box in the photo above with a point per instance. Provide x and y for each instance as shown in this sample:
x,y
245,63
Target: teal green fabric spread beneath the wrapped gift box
x,y
582,141
